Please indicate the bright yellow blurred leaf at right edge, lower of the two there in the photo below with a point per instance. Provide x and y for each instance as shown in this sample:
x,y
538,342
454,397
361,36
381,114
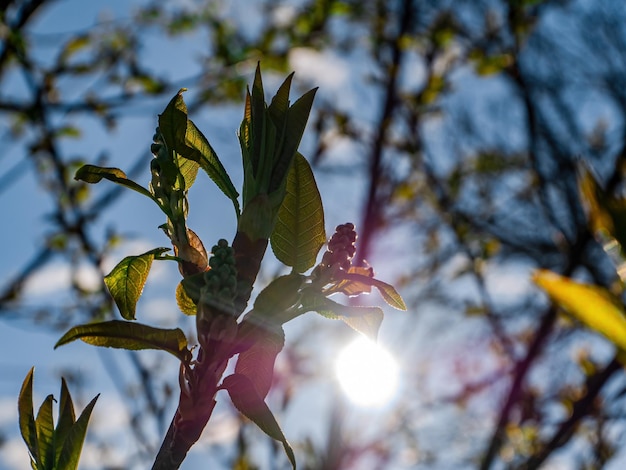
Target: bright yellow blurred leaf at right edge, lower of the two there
x,y
593,305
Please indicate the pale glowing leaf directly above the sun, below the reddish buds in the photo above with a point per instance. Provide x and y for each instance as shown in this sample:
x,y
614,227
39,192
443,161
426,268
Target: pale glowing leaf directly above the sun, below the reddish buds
x,y
365,320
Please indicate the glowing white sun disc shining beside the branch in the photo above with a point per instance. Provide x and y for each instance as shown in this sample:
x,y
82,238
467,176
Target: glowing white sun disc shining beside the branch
x,y
367,373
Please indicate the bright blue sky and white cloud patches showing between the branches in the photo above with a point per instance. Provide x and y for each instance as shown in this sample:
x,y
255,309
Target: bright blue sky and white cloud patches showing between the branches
x,y
423,345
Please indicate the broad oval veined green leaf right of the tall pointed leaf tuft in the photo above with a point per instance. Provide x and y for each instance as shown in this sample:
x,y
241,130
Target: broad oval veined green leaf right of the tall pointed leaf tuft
x,y
299,232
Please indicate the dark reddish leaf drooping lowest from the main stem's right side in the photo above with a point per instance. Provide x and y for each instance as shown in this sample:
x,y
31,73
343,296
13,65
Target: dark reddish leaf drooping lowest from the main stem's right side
x,y
246,399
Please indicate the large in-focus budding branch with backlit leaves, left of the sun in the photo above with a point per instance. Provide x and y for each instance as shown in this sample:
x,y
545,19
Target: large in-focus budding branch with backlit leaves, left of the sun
x,y
281,202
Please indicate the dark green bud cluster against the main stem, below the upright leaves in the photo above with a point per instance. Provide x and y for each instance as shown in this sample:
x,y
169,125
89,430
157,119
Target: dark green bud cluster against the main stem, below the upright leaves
x,y
221,280
